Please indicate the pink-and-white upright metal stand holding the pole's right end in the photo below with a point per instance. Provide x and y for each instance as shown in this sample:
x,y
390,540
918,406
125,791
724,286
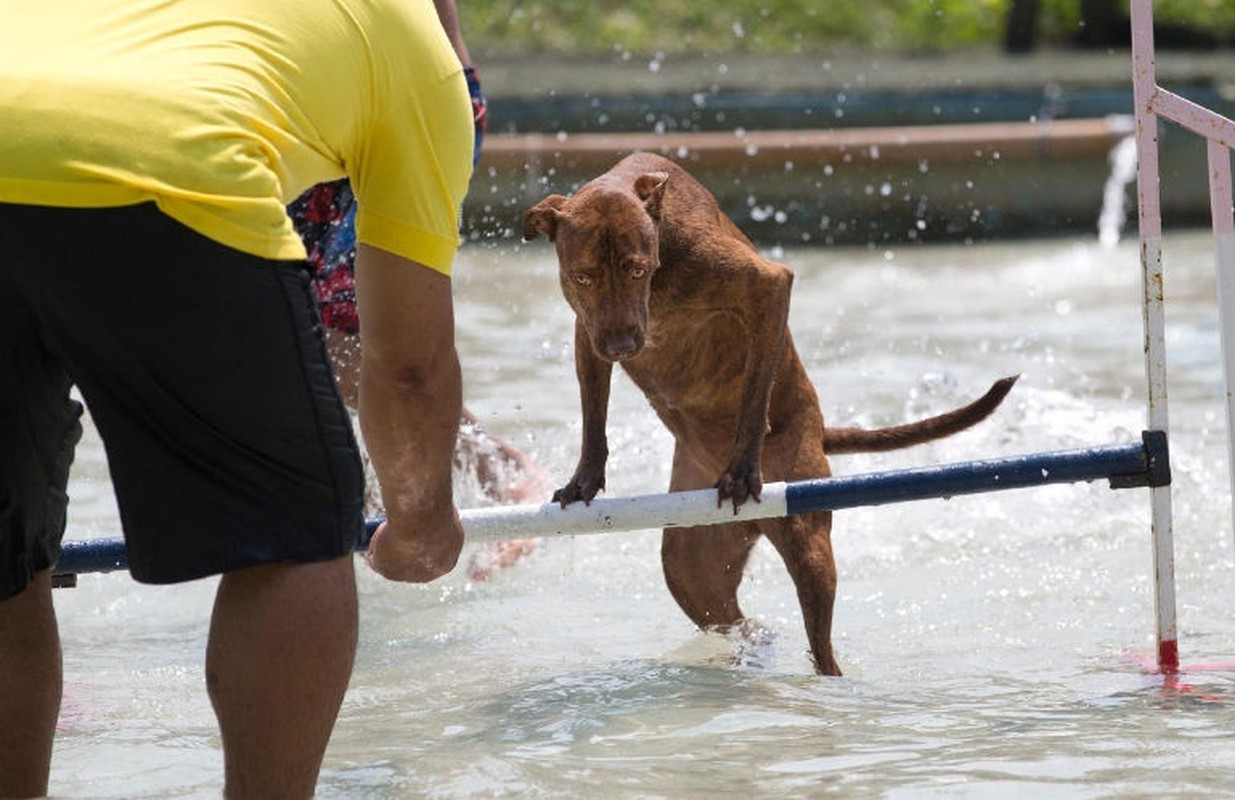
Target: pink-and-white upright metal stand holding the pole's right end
x,y
1152,103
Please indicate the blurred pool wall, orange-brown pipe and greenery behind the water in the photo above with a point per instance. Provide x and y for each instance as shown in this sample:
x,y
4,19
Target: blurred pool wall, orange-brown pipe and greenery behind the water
x,y
885,122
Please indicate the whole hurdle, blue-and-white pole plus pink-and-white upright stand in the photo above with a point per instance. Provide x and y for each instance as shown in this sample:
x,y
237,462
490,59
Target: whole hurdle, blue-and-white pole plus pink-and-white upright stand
x,y
1144,465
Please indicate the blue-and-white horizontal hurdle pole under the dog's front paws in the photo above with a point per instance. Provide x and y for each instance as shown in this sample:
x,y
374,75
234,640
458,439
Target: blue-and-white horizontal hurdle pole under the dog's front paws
x,y
1134,465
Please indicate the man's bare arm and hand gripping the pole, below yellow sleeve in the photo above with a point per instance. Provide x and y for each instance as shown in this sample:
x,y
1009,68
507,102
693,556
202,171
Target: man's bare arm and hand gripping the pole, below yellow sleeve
x,y
409,409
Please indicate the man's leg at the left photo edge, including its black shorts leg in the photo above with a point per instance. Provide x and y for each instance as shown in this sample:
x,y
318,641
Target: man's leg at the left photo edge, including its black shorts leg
x,y
40,428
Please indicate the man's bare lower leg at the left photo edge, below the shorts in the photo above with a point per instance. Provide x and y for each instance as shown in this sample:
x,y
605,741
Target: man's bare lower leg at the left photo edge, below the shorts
x,y
30,690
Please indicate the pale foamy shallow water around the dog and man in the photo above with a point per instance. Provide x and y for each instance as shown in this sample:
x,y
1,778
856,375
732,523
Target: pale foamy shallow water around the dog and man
x,y
989,643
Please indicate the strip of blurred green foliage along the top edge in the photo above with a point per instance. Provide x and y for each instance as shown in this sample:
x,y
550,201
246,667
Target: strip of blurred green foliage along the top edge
x,y
782,27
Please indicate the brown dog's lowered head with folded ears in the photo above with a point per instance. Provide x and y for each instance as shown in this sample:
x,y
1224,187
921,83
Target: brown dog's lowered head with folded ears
x,y
608,251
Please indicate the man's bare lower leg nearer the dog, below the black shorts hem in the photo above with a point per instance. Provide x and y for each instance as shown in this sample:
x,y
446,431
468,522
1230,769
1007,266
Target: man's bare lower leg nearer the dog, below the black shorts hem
x,y
281,651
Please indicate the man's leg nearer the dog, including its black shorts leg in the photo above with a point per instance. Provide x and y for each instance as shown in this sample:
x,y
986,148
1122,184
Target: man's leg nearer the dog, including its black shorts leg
x,y
230,452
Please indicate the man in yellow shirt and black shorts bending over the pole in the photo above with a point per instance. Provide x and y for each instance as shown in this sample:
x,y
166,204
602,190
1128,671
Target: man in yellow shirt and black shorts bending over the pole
x,y
149,152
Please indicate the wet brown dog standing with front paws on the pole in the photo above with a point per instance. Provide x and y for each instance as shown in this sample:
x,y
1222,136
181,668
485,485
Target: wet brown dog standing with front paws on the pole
x,y
665,285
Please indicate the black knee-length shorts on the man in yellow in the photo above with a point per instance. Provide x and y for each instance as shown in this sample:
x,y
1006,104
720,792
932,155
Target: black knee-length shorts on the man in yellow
x,y
207,376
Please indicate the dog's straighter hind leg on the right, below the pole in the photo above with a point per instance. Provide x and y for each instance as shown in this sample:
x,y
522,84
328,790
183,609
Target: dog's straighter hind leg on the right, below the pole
x,y
806,548
